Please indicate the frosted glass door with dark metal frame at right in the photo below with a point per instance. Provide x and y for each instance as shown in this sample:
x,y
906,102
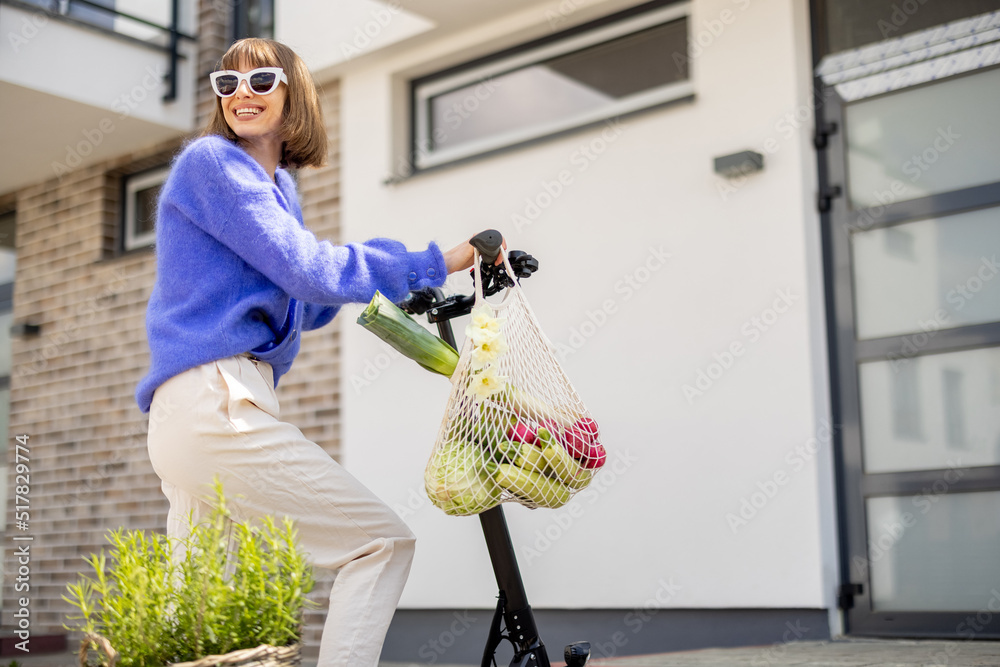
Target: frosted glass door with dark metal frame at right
x,y
913,250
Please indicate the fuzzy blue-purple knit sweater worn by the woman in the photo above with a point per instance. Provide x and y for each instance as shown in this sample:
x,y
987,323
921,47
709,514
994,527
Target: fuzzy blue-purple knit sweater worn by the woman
x,y
237,271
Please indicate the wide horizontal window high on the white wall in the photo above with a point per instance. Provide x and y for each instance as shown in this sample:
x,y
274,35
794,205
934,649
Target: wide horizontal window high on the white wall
x,y
576,78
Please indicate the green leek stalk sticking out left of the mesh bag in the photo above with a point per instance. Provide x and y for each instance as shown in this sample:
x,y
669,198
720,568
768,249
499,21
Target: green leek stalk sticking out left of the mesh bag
x,y
387,321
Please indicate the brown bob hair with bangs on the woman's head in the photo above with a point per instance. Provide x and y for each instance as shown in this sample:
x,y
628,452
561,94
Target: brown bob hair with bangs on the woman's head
x,y
305,139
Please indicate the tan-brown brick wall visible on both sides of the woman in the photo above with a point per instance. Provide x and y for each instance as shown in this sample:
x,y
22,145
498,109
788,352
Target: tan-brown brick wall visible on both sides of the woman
x,y
72,386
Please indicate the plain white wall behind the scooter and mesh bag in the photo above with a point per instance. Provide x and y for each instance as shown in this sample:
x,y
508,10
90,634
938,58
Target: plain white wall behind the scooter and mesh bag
x,y
683,465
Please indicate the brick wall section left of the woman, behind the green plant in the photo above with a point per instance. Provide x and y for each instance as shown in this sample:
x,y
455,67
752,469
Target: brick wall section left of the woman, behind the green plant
x,y
71,386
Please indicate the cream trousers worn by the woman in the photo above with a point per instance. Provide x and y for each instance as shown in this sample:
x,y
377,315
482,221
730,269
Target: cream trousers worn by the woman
x,y
221,418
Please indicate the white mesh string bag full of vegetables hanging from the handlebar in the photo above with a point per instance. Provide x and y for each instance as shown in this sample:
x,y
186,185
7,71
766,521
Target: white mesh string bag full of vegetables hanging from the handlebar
x,y
515,429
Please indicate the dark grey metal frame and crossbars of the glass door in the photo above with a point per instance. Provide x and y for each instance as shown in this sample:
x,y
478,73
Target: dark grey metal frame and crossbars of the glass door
x,y
838,222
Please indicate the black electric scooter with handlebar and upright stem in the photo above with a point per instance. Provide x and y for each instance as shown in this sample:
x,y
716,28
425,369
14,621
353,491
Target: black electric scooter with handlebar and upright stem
x,y
513,619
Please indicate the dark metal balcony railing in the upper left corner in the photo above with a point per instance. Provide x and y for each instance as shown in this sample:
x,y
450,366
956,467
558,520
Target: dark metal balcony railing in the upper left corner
x,y
105,17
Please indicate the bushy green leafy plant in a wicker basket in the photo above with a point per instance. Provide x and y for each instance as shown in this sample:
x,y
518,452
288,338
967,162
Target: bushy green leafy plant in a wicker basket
x,y
229,594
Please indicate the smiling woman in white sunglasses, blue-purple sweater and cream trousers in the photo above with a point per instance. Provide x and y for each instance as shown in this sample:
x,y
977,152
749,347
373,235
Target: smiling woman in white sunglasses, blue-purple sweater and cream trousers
x,y
238,279
